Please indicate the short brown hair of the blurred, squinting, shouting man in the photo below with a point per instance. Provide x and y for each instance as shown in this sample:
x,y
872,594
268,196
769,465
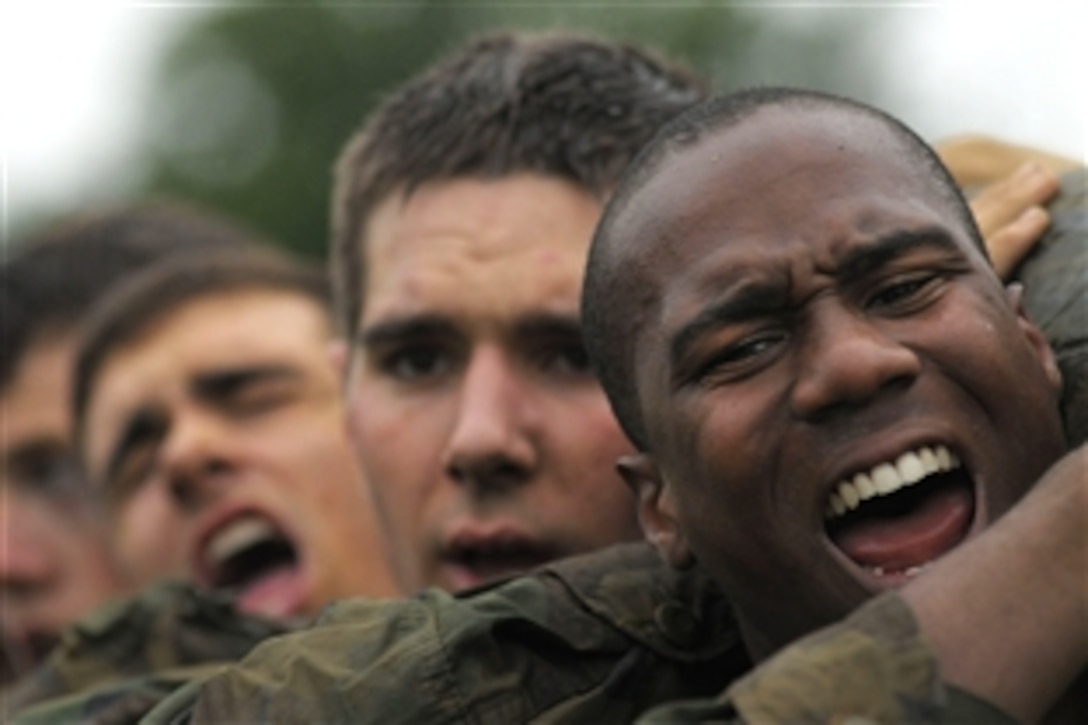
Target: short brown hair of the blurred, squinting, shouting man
x,y
134,309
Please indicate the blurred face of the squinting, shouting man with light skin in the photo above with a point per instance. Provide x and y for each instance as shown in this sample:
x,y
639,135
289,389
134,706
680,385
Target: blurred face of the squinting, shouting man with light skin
x,y
218,438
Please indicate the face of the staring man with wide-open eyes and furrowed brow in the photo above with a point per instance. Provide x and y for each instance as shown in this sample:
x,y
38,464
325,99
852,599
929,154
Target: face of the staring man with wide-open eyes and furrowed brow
x,y
490,445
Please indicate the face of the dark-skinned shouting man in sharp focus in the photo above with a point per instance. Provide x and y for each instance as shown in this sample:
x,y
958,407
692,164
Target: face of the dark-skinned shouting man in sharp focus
x,y
837,390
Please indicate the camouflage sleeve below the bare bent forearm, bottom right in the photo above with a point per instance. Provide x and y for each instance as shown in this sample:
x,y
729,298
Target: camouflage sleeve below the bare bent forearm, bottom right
x,y
874,668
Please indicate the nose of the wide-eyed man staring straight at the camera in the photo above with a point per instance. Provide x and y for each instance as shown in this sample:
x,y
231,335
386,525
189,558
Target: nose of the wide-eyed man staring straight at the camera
x,y
491,447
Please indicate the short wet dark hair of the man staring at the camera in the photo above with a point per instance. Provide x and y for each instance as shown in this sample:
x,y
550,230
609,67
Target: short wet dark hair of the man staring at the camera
x,y
560,105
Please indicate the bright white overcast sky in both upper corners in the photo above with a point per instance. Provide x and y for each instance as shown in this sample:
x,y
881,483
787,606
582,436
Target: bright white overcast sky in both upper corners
x,y
73,75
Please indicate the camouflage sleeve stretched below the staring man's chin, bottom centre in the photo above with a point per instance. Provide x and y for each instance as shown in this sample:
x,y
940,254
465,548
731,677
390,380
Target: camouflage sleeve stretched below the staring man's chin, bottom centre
x,y
596,638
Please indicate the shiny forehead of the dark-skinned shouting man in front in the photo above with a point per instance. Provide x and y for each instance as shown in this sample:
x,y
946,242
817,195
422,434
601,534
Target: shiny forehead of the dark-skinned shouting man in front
x,y
777,170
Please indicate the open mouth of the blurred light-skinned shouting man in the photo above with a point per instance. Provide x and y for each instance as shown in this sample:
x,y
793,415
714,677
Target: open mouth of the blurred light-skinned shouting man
x,y
253,558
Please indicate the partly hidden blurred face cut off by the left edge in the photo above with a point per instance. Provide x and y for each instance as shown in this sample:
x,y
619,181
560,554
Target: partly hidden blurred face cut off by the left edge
x,y
54,562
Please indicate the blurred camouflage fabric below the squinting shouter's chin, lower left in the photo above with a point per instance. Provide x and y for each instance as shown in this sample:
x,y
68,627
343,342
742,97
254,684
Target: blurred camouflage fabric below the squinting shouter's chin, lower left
x,y
128,655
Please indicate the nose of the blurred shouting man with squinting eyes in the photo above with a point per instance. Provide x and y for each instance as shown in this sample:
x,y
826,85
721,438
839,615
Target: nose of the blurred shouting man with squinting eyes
x,y
197,460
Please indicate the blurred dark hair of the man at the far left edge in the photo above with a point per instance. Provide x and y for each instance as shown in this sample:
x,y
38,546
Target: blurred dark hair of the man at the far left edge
x,y
51,280
